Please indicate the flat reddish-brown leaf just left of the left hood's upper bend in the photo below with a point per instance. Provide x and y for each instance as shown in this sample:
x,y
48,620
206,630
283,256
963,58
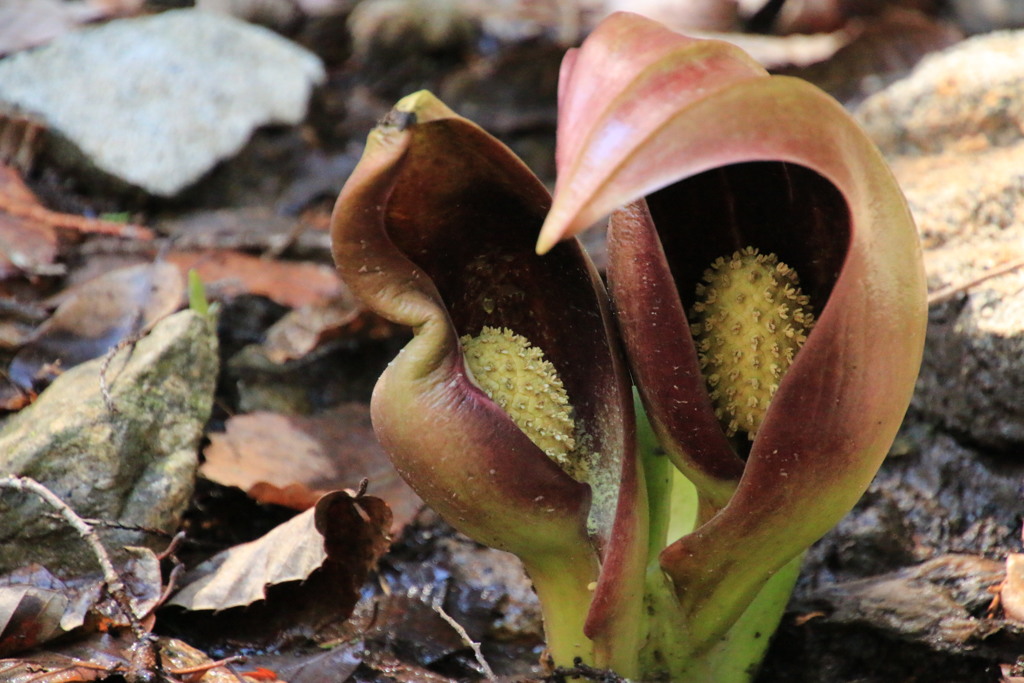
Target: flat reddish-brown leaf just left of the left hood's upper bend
x,y
229,274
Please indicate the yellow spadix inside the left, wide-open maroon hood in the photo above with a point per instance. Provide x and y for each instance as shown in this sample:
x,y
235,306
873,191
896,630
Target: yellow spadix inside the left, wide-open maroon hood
x,y
518,377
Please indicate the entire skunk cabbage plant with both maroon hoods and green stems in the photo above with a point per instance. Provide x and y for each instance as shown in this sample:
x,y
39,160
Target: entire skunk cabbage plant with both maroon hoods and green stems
x,y
769,298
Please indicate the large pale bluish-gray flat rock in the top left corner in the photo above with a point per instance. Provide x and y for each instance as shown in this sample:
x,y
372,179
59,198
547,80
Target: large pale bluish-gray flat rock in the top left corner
x,y
157,102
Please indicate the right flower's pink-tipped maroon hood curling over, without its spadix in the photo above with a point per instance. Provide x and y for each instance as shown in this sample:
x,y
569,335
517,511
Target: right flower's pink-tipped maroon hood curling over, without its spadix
x,y
730,157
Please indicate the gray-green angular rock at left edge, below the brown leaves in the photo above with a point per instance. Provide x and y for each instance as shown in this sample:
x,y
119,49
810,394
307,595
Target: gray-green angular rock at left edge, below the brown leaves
x,y
136,465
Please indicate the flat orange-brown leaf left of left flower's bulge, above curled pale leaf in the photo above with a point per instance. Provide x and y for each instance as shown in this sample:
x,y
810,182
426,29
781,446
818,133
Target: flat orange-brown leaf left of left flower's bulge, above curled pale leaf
x,y
268,454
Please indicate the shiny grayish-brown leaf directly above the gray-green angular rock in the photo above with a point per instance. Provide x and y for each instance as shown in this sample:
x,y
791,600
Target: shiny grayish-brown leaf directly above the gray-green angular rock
x,y
96,317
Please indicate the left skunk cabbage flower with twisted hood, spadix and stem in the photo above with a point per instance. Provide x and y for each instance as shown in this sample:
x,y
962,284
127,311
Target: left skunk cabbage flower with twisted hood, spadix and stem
x,y
510,411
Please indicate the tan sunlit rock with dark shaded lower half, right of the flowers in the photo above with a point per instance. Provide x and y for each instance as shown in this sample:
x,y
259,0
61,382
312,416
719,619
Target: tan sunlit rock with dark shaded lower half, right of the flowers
x,y
970,212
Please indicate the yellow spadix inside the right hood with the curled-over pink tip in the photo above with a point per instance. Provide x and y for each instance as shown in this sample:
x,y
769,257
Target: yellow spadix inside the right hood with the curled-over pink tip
x,y
749,322
